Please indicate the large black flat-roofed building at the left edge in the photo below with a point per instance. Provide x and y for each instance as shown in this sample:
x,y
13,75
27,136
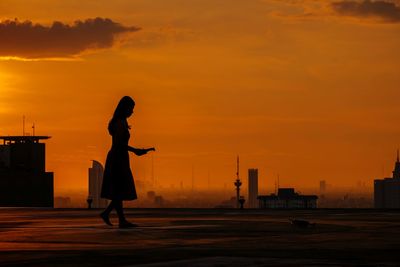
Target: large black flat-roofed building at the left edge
x,y
24,181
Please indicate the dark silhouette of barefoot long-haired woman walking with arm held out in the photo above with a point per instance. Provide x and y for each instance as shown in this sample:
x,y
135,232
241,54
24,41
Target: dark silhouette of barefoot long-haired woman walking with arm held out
x,y
118,184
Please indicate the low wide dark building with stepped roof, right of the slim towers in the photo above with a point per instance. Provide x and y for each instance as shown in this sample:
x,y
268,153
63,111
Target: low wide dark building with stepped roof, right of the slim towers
x,y
287,198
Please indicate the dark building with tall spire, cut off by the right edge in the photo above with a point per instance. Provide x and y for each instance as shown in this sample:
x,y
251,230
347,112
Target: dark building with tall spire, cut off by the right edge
x,y
387,190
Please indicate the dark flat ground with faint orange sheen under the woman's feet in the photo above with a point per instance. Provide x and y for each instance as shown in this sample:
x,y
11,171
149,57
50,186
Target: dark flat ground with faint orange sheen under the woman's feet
x,y
200,237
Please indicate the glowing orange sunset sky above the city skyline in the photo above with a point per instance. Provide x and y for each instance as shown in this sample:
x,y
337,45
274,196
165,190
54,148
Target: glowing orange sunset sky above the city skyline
x,y
307,89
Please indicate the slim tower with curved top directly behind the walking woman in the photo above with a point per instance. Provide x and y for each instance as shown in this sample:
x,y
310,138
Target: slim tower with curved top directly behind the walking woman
x,y
95,182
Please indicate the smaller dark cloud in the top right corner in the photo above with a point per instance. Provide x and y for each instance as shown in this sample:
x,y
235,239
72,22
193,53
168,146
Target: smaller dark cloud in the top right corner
x,y
386,11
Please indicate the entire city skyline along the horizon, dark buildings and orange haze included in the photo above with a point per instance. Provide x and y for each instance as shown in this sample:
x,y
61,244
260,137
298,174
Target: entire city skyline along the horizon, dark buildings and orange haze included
x,y
25,182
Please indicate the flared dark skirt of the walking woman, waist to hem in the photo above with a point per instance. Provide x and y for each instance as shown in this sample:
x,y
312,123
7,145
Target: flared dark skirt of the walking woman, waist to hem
x,y
118,183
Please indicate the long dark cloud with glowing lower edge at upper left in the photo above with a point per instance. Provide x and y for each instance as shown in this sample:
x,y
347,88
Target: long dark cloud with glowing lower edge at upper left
x,y
35,41
